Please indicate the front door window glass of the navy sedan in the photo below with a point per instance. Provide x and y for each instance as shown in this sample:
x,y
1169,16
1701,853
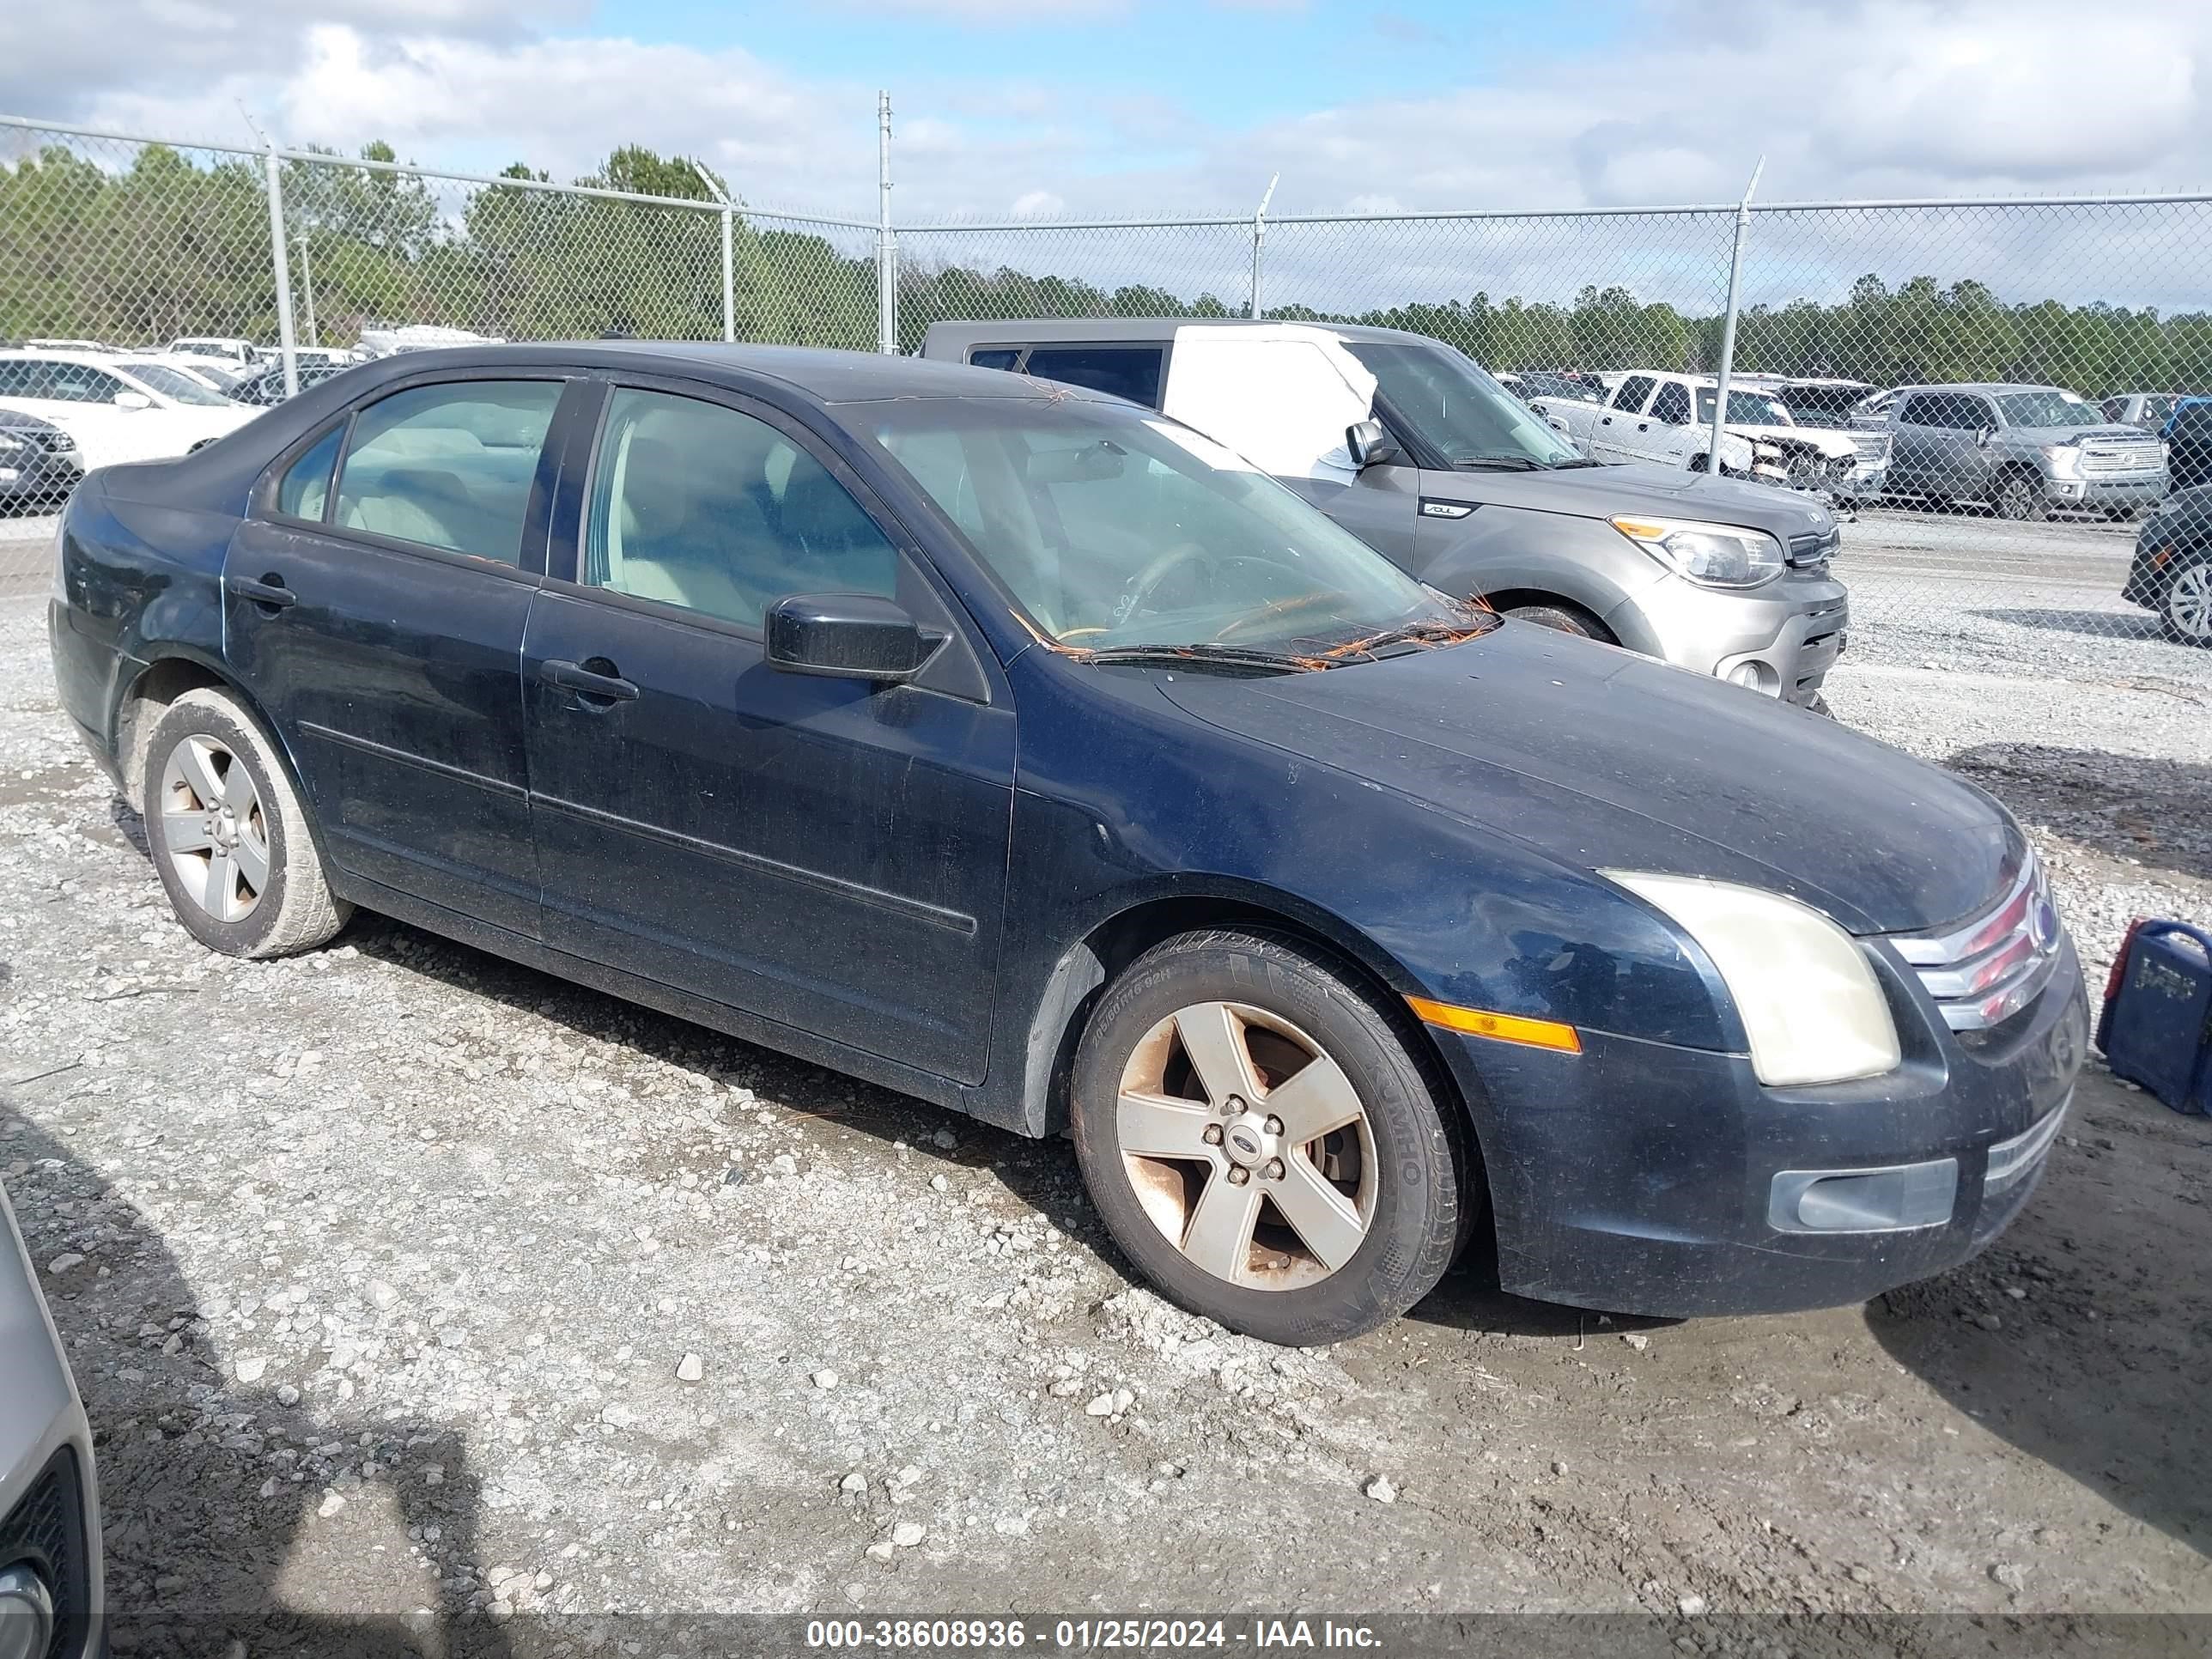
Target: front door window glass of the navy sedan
x,y
705,508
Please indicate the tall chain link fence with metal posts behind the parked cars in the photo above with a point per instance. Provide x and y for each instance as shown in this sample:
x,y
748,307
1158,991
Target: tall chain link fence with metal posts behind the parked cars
x,y
1987,517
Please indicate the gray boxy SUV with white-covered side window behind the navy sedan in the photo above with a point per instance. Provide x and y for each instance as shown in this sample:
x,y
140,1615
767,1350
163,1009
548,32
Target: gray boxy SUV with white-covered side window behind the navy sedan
x,y
1417,450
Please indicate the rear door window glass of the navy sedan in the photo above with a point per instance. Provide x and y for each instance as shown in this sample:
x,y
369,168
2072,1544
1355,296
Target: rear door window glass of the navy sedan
x,y
450,466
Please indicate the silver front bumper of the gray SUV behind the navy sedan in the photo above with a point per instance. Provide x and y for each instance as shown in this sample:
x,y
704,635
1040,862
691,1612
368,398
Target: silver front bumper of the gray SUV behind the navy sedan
x,y
1782,638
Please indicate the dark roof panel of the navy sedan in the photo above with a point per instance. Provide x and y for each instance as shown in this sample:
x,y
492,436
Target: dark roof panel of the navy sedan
x,y
822,373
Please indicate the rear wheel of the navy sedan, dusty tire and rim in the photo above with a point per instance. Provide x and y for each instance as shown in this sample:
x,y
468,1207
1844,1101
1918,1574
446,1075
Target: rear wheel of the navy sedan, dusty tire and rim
x,y
229,835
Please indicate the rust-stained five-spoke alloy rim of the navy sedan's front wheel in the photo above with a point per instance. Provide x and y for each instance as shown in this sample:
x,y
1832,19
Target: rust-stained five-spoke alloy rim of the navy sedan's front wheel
x,y
1246,1147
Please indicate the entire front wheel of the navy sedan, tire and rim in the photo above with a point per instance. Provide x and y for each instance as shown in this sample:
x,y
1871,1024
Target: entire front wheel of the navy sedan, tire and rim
x,y
1264,1142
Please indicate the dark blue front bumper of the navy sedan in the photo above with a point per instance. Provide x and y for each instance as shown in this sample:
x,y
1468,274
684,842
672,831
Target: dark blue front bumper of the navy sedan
x,y
1651,1180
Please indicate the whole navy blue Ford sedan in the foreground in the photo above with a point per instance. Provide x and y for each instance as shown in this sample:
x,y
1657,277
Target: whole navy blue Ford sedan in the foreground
x,y
1025,751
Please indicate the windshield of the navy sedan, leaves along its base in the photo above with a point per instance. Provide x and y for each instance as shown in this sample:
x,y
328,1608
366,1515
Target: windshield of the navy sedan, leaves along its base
x,y
1116,528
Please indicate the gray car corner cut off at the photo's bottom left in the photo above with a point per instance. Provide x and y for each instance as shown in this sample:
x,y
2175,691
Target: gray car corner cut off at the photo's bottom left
x,y
50,1512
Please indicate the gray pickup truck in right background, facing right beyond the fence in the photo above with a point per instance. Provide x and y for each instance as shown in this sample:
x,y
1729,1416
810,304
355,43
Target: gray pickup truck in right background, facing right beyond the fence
x,y
2025,450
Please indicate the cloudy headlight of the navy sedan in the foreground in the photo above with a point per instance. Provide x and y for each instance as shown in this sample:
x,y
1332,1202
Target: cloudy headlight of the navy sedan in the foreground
x,y
1802,985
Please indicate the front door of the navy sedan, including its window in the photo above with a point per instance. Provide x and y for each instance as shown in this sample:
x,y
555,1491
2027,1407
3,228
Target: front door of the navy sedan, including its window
x,y
822,853
